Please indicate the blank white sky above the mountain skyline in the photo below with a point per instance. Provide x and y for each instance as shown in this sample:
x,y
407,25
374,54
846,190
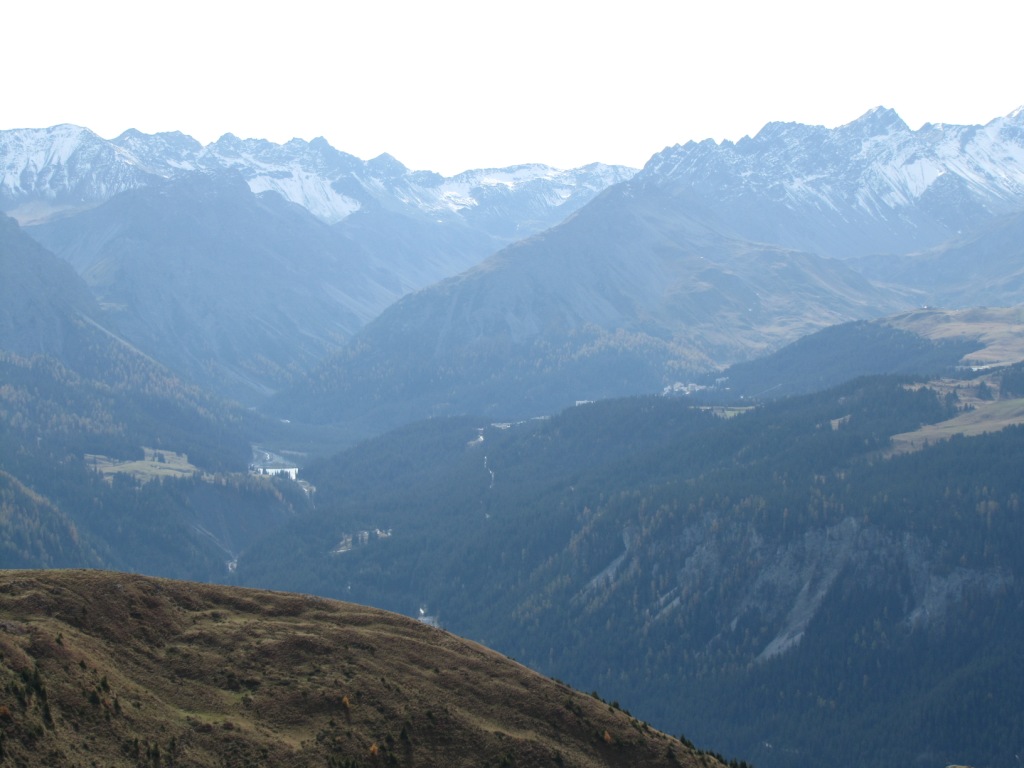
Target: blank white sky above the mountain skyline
x,y
452,84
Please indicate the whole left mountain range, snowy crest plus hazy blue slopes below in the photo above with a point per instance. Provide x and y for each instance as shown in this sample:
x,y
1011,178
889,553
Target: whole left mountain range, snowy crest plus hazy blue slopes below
x,y
242,264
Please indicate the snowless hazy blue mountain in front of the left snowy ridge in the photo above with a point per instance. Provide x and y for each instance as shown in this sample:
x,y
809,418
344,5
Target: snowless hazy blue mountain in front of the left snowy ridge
x,y
231,290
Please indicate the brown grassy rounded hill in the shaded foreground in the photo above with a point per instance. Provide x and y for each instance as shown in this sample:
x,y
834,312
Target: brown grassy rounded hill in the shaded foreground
x,y
118,670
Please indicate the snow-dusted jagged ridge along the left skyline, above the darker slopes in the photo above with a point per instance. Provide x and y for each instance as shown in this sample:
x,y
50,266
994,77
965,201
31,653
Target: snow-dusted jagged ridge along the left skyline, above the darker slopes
x,y
66,167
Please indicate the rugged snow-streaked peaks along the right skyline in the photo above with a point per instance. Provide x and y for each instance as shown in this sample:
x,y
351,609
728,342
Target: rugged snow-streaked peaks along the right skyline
x,y
872,186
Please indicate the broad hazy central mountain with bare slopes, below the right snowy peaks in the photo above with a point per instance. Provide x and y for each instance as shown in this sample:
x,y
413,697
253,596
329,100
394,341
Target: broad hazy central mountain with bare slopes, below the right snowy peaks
x,y
629,295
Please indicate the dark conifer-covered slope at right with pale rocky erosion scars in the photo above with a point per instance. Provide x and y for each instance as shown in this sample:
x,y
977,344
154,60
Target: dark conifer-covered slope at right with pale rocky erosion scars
x,y
769,583
